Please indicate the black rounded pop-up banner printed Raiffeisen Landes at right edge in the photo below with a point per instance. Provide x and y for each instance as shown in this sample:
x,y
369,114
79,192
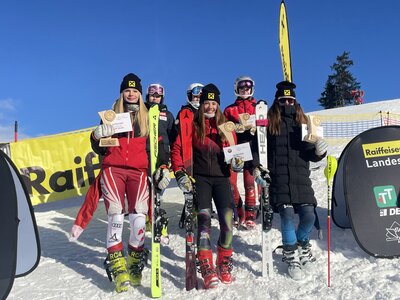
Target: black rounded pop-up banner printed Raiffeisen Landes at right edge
x,y
371,184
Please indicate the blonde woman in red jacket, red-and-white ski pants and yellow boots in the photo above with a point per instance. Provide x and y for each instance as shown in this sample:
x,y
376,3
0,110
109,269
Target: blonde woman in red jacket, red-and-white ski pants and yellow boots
x,y
124,176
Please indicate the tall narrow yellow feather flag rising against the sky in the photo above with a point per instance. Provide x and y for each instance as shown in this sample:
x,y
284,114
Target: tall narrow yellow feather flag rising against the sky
x,y
284,45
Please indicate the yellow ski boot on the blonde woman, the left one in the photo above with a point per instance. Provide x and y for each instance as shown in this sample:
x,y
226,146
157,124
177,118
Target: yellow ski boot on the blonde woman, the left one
x,y
116,271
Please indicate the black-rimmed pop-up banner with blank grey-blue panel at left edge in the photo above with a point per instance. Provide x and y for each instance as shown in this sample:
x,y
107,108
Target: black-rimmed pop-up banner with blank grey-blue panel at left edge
x,y
20,252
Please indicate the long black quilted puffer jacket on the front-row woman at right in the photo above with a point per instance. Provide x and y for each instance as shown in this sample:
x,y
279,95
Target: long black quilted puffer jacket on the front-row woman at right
x,y
289,165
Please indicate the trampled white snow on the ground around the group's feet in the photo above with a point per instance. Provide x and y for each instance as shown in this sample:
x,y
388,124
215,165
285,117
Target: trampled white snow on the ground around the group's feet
x,y
74,270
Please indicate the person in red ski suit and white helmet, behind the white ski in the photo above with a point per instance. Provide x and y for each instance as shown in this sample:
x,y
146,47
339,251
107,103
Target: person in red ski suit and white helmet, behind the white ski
x,y
244,103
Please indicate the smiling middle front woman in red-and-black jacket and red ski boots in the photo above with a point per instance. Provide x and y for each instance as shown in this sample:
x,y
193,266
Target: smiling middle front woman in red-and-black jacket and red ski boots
x,y
211,175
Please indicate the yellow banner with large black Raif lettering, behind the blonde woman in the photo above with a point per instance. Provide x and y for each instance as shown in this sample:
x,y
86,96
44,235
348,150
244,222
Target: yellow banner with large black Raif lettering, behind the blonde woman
x,y
56,167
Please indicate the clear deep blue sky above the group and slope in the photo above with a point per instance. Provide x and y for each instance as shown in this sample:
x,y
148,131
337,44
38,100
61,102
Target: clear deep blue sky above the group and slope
x,y
62,61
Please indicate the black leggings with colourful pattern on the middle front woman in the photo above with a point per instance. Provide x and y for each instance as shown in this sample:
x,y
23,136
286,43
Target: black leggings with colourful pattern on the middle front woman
x,y
219,189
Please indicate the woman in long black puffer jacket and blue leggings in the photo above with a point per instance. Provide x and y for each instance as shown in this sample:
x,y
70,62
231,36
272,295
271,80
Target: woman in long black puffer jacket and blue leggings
x,y
289,175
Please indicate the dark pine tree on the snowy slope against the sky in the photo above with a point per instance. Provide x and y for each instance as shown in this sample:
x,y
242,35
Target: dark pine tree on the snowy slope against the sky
x,y
339,85
